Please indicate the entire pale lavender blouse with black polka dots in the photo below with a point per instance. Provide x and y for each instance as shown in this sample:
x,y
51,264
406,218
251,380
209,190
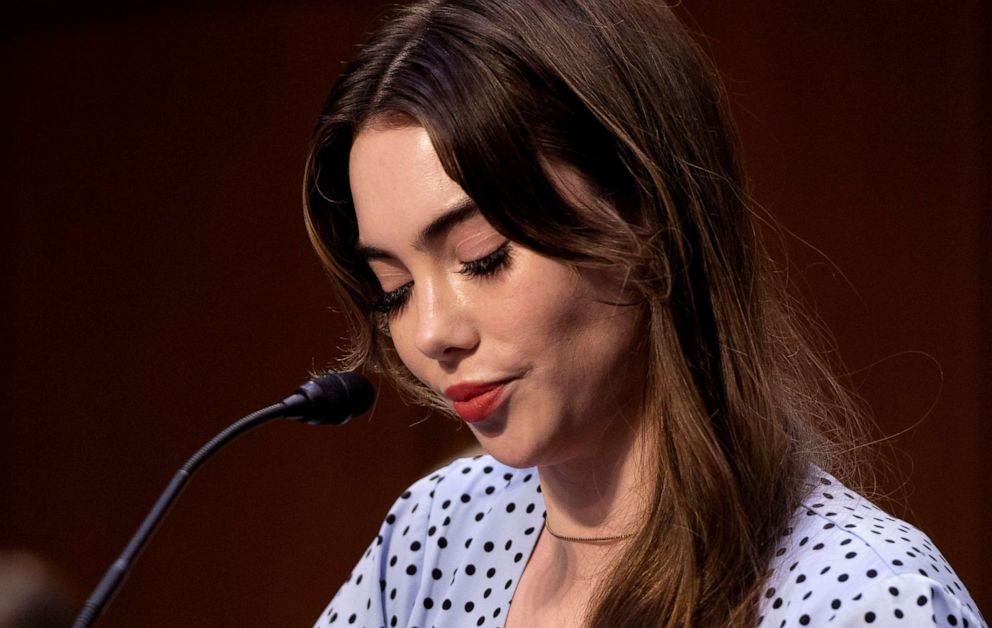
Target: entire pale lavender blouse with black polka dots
x,y
453,547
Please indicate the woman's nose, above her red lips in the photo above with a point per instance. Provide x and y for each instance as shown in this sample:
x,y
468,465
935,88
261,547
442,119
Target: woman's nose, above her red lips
x,y
446,330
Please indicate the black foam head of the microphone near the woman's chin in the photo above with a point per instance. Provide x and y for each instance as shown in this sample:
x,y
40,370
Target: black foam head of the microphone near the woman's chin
x,y
333,398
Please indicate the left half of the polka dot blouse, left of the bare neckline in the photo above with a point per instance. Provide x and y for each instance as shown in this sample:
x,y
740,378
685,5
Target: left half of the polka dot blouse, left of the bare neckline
x,y
473,517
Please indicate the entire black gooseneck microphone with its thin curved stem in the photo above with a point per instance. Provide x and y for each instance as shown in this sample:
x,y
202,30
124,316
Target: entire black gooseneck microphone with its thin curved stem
x,y
327,399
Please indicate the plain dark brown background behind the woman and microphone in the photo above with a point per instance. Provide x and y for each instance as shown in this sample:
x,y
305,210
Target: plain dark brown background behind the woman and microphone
x,y
158,284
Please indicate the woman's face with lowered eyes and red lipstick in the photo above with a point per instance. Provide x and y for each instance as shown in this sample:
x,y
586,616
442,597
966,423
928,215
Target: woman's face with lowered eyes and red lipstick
x,y
531,353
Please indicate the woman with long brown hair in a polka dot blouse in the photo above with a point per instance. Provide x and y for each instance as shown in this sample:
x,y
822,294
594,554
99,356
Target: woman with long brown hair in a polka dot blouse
x,y
535,215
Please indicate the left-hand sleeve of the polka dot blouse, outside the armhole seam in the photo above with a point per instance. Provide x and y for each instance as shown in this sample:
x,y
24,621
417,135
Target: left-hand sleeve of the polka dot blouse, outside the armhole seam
x,y
381,588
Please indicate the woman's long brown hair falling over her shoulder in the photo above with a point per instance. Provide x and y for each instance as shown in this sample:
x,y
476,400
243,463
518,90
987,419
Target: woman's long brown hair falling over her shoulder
x,y
616,90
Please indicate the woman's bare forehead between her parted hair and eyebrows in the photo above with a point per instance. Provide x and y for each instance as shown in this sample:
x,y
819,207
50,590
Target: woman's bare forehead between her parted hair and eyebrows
x,y
397,182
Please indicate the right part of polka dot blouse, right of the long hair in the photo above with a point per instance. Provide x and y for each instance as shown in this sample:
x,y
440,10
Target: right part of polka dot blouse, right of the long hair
x,y
846,562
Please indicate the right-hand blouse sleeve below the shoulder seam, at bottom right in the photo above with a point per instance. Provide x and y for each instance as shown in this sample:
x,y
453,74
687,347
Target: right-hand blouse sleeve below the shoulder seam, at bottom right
x,y
901,600
